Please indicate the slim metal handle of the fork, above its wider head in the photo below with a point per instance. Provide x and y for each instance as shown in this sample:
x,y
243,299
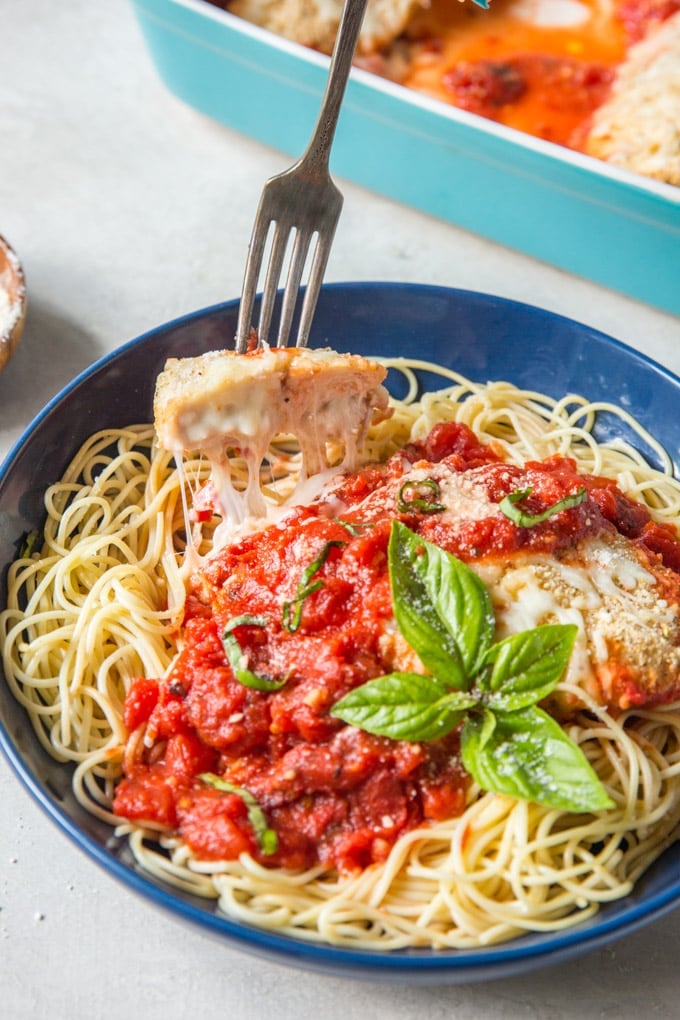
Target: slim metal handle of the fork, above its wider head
x,y
318,155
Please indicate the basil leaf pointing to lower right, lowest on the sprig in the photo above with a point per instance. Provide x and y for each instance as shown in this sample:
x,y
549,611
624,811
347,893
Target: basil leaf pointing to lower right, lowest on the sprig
x,y
528,755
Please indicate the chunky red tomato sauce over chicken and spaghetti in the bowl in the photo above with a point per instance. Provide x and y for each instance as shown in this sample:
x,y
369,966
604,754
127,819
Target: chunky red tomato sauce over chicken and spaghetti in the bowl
x,y
332,793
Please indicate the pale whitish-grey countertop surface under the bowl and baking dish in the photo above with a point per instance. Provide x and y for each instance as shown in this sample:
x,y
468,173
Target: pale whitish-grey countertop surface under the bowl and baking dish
x,y
127,210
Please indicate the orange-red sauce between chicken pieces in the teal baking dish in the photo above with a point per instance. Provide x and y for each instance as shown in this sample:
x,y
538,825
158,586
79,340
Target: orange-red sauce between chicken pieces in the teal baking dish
x,y
542,67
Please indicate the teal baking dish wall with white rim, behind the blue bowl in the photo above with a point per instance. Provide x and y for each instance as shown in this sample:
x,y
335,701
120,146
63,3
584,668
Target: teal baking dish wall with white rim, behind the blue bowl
x,y
609,226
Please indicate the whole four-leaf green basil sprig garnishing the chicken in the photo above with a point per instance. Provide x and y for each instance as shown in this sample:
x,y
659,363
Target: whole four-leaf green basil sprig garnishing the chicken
x,y
491,690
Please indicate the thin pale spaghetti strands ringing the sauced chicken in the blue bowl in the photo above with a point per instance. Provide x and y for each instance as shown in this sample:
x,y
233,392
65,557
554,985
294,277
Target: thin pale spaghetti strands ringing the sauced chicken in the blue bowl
x,y
100,603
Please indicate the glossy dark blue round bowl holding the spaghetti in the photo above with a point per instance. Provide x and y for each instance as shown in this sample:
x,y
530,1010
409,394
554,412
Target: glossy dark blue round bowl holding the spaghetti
x,y
485,338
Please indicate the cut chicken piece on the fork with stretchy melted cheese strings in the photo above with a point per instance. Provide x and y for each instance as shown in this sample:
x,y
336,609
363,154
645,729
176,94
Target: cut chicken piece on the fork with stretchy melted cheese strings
x,y
222,401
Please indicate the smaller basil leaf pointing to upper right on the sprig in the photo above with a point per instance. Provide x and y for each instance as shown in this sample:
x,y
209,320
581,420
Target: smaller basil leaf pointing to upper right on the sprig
x,y
526,669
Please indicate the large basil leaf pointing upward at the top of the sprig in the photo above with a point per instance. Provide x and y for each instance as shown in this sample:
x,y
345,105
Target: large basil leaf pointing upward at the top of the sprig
x,y
441,606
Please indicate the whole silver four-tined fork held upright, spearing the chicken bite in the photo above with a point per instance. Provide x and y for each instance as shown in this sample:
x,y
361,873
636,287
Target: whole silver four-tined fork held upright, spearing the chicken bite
x,y
300,203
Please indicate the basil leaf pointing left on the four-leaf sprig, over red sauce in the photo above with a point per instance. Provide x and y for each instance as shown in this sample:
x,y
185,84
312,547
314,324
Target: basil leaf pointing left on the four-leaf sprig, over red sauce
x,y
405,707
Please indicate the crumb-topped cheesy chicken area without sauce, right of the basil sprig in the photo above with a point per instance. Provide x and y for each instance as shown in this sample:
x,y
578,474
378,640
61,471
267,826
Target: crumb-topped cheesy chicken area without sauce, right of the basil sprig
x,y
629,645
